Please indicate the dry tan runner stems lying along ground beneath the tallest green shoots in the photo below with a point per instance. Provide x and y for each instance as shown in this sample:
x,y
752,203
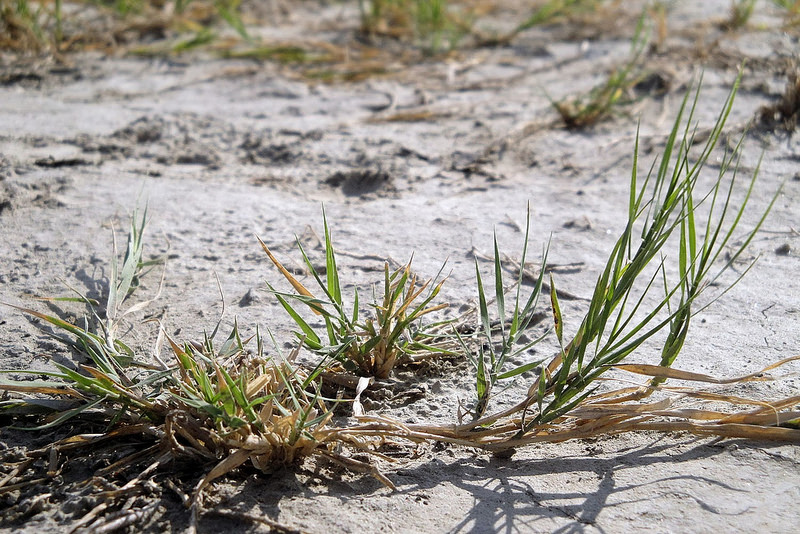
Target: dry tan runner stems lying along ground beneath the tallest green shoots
x,y
614,412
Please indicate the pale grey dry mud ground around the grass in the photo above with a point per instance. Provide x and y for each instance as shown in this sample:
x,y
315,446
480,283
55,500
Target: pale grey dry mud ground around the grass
x,y
224,150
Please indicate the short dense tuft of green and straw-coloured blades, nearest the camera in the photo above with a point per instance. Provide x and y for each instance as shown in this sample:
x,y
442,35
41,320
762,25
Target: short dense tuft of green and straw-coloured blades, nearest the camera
x,y
228,403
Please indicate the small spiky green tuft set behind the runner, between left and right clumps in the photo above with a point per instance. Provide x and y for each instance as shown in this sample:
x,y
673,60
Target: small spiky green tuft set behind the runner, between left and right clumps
x,y
373,346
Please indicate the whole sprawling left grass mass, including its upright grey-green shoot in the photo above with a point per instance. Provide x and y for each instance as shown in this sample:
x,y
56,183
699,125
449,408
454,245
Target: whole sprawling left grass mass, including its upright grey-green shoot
x,y
225,404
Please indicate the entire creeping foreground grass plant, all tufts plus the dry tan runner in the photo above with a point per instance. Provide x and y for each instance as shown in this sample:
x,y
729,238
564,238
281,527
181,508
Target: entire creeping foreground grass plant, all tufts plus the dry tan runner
x,y
230,403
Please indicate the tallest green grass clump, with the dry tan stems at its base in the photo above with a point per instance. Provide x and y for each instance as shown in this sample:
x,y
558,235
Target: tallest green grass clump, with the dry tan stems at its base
x,y
565,401
